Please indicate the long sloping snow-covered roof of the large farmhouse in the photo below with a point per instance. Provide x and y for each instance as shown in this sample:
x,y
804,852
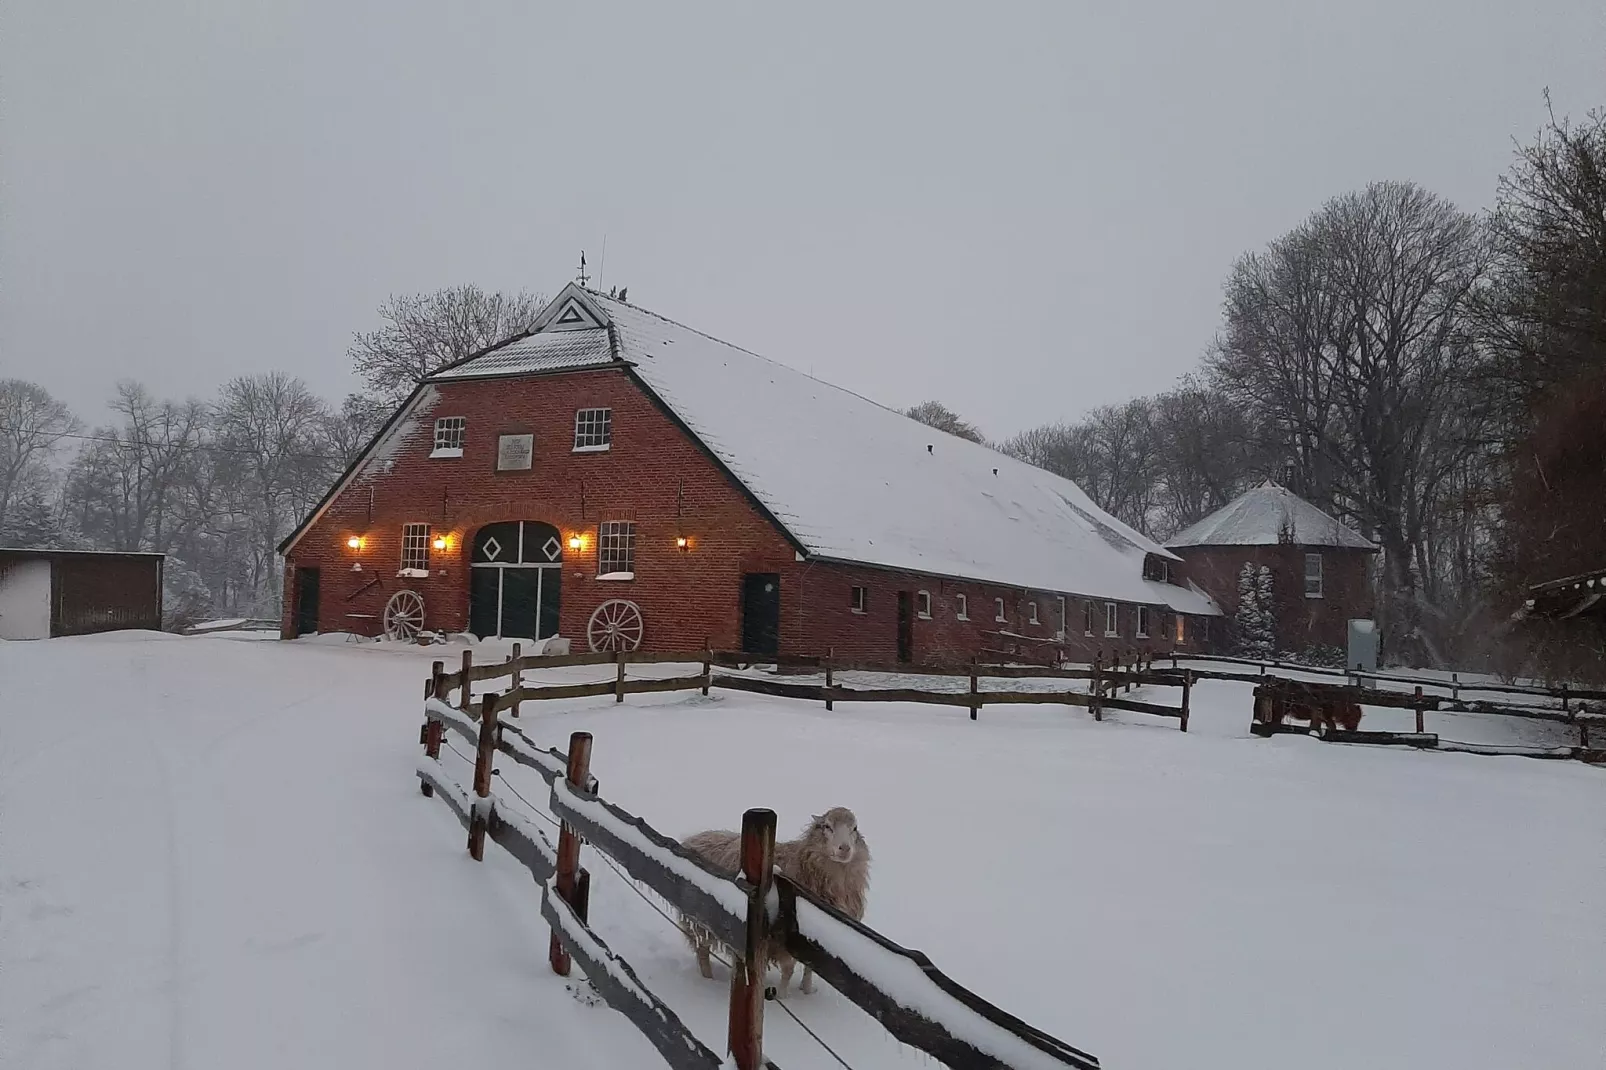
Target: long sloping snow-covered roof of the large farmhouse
x,y
852,480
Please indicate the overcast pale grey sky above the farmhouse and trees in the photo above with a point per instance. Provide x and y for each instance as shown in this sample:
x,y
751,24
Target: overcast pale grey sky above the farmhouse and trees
x,y
1021,210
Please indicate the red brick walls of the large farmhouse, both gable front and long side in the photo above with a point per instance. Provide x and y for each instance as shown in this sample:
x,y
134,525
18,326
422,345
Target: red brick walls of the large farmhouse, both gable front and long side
x,y
661,480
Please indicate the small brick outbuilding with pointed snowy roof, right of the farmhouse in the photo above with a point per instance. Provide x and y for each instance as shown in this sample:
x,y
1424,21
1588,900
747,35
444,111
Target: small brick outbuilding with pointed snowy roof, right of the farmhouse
x,y
1321,570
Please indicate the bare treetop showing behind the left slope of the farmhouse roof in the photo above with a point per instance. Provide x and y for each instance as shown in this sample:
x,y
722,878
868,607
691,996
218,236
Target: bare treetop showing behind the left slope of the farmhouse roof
x,y
428,332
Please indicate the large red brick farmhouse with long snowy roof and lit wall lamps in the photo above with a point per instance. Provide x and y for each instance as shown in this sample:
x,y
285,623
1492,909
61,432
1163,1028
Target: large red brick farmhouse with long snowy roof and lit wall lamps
x,y
619,480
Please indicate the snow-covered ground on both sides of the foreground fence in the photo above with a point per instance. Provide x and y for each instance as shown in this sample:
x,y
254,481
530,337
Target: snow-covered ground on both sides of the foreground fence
x,y
214,854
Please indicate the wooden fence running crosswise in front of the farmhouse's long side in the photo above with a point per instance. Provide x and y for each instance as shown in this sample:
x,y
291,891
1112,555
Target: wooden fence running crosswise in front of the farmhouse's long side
x,y
1106,682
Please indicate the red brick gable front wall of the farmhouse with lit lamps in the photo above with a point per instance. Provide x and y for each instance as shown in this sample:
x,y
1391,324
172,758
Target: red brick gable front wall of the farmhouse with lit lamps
x,y
654,475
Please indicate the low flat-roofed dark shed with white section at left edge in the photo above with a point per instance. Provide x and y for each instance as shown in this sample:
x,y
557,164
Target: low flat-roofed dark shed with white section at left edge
x,y
47,594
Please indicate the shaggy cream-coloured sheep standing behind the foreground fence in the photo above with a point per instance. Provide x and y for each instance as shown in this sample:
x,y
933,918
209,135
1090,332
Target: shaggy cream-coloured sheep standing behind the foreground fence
x,y
829,860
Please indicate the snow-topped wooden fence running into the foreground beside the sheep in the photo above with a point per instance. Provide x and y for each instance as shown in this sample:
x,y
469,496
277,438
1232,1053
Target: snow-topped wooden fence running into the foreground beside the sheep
x,y
900,989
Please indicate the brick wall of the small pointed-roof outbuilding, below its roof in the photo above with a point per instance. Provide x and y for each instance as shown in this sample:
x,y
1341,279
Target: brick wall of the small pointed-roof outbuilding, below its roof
x,y
1302,623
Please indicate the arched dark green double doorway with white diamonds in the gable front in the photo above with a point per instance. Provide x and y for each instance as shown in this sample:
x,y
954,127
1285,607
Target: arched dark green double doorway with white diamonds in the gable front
x,y
515,581
